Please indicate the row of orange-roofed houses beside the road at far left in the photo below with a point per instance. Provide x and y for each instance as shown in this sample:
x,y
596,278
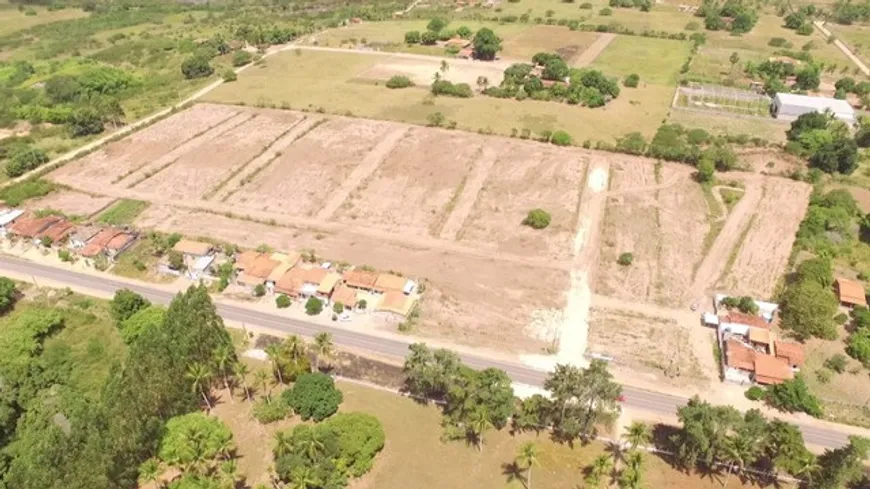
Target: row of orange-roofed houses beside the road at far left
x,y
58,232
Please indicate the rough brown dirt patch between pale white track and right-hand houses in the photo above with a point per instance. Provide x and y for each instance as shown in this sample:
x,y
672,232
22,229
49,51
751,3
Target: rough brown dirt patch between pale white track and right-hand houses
x,y
658,346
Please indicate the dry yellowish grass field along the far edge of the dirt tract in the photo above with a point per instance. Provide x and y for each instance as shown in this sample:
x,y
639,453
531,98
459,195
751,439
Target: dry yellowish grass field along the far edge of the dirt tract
x,y
320,80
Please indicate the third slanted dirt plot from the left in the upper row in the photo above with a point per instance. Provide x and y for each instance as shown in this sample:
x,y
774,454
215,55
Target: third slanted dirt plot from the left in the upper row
x,y
301,179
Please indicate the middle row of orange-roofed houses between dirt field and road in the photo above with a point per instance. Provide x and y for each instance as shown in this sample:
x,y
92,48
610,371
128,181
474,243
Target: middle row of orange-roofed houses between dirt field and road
x,y
290,275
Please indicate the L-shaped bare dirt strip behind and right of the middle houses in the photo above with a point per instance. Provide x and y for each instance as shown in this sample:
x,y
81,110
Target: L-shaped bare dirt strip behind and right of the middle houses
x,y
467,299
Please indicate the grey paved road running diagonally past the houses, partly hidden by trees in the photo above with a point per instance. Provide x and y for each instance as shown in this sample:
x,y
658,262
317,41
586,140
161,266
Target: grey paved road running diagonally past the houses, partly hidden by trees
x,y
655,402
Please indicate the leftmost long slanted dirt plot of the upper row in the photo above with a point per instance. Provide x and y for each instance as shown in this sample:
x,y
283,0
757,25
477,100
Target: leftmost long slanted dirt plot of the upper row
x,y
117,159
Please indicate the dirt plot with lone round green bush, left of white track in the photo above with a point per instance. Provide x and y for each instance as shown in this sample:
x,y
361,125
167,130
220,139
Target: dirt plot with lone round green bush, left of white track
x,y
528,176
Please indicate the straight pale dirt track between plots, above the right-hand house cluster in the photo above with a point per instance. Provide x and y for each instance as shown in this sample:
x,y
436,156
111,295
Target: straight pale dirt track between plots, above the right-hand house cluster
x,y
717,257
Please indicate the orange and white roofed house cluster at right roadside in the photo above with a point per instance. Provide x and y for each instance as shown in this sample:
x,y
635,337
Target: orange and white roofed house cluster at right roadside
x,y
751,351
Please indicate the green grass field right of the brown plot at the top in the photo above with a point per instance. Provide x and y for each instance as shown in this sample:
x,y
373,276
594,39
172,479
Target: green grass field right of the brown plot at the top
x,y
624,54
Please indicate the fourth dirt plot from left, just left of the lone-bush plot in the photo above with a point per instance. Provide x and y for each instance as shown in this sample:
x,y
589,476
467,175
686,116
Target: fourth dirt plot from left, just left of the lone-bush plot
x,y
417,184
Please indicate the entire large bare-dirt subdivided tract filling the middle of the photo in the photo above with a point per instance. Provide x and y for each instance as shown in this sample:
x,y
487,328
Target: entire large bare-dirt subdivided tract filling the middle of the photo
x,y
446,207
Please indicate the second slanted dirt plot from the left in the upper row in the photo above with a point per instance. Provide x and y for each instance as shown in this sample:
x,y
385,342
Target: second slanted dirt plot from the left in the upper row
x,y
200,170
